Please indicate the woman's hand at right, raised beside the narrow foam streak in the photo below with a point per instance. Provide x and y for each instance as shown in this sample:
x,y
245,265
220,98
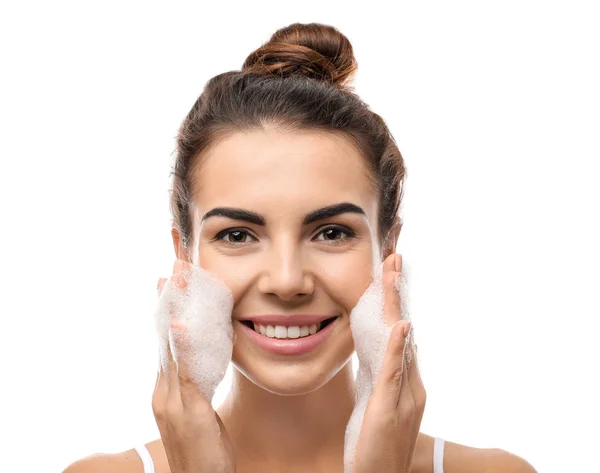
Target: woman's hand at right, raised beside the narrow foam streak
x,y
392,420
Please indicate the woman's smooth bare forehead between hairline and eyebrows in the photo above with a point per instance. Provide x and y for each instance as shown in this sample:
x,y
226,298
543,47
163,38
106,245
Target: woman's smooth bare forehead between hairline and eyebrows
x,y
283,171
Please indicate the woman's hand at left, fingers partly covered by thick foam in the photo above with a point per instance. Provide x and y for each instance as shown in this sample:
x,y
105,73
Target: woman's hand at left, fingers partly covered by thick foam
x,y
192,433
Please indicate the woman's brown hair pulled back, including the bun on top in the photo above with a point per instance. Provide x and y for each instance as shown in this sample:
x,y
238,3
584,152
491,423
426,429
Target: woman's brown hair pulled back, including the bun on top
x,y
299,80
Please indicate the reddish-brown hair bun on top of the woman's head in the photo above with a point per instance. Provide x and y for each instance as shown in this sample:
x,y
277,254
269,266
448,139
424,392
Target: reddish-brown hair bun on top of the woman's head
x,y
313,50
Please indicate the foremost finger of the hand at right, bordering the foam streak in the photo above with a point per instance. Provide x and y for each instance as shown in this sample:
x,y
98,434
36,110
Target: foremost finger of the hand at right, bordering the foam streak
x,y
389,381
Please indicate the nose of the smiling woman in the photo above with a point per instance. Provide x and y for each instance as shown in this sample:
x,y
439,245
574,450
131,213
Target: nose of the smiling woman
x,y
285,275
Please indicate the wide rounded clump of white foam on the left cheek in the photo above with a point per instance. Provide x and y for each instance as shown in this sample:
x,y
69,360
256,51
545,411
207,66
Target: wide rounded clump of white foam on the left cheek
x,y
203,309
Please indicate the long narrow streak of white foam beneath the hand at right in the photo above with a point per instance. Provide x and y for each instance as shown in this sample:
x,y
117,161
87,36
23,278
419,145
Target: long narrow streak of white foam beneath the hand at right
x,y
371,334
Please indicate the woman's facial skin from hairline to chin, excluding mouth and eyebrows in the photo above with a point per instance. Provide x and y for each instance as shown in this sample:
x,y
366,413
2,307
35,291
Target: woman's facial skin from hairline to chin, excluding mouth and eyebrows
x,y
287,267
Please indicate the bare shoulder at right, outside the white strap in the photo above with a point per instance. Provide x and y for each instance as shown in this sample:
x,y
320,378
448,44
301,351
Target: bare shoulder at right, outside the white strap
x,y
464,459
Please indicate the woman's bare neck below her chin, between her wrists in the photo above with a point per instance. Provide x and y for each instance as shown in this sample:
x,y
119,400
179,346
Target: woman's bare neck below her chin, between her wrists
x,y
267,428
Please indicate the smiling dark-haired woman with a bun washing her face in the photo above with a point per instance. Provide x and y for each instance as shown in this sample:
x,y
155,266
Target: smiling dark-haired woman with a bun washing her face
x,y
298,185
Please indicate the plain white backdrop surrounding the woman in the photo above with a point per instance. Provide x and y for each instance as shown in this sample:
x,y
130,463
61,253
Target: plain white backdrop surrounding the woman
x,y
495,107
